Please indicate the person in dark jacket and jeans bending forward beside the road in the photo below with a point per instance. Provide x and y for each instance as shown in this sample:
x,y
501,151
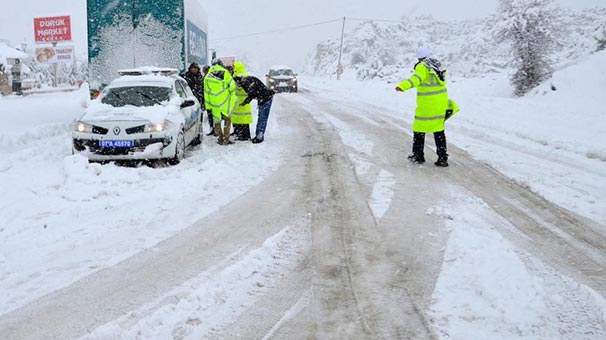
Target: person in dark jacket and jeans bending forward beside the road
x,y
255,89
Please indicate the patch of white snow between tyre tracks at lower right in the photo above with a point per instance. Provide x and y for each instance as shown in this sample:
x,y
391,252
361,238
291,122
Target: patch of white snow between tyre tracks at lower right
x,y
489,289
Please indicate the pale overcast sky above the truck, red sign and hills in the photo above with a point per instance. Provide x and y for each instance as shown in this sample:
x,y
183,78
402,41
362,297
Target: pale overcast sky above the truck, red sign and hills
x,y
235,17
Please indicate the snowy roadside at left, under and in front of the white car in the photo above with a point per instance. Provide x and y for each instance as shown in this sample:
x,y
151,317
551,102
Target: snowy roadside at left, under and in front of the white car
x,y
62,218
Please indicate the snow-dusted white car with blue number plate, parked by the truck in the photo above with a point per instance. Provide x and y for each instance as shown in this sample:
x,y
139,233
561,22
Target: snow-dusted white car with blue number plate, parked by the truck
x,y
147,113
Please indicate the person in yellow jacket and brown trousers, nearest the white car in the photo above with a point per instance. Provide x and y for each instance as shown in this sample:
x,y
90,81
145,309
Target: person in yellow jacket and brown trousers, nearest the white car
x,y
220,98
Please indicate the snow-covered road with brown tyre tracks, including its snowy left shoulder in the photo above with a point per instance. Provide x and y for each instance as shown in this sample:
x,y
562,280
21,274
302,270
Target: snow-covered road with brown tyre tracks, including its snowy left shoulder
x,y
324,231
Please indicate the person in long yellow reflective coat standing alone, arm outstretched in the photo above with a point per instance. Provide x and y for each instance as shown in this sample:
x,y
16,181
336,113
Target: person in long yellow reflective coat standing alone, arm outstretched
x,y
433,107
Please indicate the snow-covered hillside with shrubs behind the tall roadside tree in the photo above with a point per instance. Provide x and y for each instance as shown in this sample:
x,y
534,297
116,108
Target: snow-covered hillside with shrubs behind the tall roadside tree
x,y
375,50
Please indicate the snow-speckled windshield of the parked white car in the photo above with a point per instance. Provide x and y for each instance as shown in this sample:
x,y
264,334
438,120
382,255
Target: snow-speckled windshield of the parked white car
x,y
136,96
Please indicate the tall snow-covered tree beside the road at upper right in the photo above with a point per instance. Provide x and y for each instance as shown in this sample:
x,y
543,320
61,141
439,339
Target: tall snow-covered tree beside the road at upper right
x,y
532,28
